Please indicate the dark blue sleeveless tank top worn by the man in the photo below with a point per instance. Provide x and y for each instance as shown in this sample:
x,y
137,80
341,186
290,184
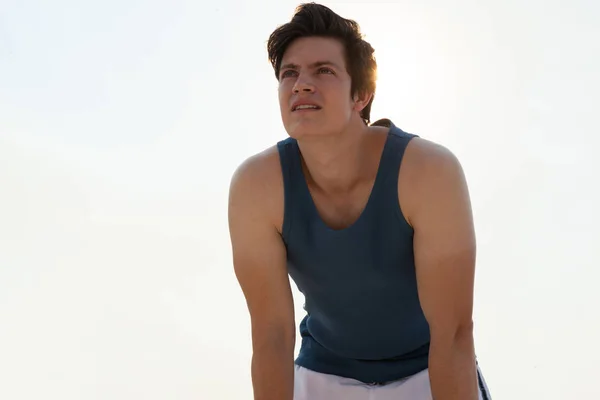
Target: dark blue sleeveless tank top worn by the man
x,y
364,320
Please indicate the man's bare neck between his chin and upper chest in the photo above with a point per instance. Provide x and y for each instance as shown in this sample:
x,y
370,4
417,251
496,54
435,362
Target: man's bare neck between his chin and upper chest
x,y
334,162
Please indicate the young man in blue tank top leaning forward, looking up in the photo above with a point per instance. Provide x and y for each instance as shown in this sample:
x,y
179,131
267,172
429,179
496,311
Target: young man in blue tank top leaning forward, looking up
x,y
373,224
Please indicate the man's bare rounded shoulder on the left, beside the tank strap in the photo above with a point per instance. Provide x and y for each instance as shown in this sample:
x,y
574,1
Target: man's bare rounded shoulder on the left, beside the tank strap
x,y
257,185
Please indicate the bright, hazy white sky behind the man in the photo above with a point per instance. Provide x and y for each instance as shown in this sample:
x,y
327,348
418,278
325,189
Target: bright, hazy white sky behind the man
x,y
121,123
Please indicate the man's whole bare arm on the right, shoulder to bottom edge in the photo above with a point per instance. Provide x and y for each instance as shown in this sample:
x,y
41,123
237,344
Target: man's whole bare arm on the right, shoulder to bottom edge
x,y
444,250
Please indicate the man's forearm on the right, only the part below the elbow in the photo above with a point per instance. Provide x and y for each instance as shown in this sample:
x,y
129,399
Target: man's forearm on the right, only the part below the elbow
x,y
452,368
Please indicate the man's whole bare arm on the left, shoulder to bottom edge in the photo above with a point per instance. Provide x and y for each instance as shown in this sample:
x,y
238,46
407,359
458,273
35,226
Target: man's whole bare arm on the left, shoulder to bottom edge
x,y
259,257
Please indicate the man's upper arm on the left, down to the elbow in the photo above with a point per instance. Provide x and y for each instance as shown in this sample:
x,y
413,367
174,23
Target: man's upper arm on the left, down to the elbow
x,y
259,258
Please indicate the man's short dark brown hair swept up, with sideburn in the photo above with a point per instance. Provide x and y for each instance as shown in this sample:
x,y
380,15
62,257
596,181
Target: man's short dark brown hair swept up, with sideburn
x,y
312,20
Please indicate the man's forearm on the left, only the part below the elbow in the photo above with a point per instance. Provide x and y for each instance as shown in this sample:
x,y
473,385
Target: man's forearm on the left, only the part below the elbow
x,y
273,373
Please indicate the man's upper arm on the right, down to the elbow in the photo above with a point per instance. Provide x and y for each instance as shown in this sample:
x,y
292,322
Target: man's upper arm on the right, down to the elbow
x,y
444,246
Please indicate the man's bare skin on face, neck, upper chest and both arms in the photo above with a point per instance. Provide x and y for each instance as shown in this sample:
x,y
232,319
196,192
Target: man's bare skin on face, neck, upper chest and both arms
x,y
341,156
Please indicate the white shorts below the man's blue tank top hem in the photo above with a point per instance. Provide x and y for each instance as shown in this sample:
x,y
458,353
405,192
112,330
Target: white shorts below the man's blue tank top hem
x,y
311,385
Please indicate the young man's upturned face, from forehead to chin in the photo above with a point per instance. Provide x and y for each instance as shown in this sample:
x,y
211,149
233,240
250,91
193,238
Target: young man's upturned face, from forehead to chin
x,y
314,87
